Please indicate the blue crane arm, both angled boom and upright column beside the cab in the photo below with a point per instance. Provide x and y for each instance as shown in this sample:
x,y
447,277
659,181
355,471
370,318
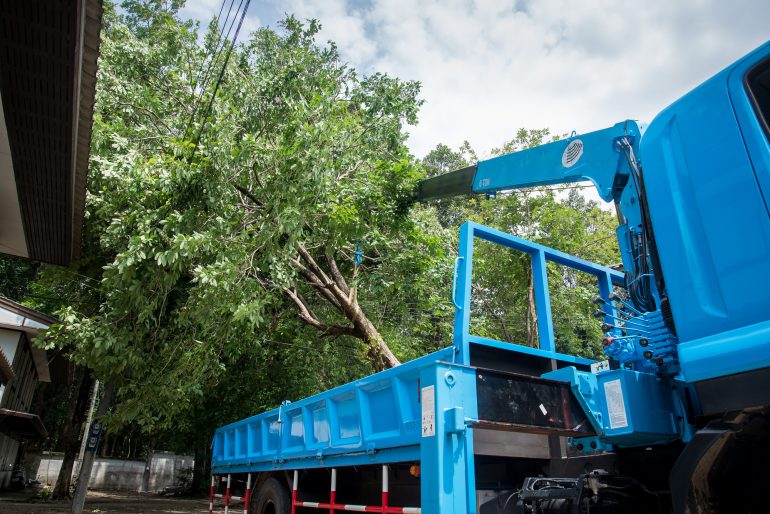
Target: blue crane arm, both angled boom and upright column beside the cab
x,y
609,158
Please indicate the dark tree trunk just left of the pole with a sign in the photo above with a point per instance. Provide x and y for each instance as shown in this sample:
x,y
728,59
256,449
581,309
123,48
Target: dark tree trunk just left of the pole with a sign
x,y
76,411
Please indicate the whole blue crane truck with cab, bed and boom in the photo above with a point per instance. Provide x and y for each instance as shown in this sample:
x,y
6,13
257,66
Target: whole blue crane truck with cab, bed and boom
x,y
674,420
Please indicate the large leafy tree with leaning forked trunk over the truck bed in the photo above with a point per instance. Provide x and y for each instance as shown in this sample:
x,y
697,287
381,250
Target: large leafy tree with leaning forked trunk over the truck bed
x,y
284,216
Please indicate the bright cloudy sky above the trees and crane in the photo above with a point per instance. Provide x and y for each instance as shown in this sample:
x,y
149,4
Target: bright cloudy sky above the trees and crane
x,y
489,67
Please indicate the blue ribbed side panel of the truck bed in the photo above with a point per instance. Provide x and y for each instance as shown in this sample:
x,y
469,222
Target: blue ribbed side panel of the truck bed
x,y
372,420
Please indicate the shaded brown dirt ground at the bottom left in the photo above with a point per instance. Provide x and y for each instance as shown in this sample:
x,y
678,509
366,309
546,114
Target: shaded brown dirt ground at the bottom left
x,y
104,502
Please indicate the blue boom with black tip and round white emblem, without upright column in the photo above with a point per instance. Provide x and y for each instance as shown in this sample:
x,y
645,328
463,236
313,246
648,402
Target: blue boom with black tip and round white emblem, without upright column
x,y
601,157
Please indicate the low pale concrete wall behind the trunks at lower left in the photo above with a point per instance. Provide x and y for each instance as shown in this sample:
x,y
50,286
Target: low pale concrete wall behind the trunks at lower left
x,y
166,470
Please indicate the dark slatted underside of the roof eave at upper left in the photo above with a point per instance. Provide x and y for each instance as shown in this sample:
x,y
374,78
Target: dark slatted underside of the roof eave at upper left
x,y
48,59
